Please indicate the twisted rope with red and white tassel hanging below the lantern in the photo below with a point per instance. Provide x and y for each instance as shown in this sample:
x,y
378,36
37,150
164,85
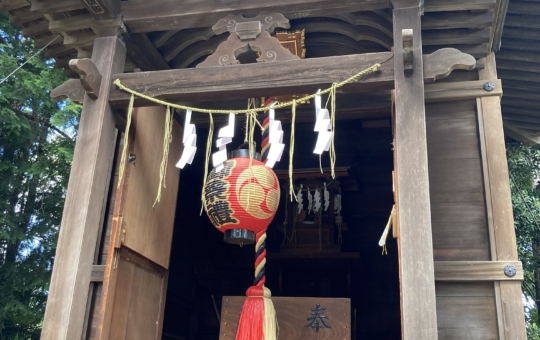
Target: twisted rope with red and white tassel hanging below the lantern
x,y
258,317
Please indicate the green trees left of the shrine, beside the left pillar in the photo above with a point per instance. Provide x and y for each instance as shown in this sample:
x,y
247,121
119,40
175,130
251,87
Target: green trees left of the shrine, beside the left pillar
x,y
36,146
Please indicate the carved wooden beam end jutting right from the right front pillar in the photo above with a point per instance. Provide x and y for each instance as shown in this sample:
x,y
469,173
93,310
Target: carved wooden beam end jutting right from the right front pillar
x,y
441,63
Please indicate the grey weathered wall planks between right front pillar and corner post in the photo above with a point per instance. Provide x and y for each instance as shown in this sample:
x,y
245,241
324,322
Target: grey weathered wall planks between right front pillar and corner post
x,y
465,310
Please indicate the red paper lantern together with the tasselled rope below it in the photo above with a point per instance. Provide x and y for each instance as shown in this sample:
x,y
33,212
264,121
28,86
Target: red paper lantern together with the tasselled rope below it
x,y
241,201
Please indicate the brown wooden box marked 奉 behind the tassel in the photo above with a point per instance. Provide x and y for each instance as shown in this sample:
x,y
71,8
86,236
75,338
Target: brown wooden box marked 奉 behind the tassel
x,y
293,314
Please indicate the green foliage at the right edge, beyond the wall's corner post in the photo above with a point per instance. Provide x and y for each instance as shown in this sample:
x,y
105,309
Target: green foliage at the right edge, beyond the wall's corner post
x,y
524,169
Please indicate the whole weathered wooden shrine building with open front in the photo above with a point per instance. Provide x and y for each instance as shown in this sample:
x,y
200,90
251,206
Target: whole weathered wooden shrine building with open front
x,y
424,132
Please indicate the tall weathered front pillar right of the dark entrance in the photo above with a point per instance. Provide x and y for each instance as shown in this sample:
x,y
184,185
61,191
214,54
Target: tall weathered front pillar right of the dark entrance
x,y
418,308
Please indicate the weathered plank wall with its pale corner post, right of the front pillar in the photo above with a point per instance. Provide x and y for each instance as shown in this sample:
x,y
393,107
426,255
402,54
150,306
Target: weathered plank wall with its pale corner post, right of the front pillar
x,y
472,218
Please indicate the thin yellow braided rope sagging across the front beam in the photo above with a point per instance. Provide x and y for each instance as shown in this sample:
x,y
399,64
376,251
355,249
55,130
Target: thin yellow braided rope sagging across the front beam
x,y
366,72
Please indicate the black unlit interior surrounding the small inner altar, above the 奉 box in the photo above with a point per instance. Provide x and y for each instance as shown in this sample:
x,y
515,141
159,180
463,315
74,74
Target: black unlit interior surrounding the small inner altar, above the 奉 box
x,y
203,268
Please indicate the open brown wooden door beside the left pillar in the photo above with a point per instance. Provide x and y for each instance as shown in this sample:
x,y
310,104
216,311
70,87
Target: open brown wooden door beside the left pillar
x,y
135,282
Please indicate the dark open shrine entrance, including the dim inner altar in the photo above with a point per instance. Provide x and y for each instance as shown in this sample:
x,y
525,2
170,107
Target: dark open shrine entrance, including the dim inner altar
x,y
308,262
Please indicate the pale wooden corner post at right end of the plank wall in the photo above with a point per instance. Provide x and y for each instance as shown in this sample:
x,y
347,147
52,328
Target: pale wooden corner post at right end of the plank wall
x,y
499,201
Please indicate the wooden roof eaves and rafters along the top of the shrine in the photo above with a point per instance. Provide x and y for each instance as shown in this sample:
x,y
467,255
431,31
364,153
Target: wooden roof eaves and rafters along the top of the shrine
x,y
168,34
